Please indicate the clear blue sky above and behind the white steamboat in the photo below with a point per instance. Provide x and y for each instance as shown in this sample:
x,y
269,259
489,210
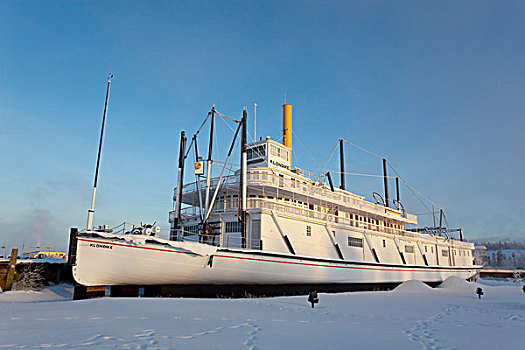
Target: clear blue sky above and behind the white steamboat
x,y
434,86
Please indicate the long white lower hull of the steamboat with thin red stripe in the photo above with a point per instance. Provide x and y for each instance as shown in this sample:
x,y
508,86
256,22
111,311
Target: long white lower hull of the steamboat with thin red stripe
x,y
112,261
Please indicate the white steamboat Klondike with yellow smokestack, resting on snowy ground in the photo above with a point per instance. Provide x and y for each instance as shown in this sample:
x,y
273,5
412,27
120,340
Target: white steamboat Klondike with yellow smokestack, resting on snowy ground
x,y
271,226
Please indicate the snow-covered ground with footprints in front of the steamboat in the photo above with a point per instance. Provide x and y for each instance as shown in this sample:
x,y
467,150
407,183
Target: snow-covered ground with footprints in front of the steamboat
x,y
413,316
